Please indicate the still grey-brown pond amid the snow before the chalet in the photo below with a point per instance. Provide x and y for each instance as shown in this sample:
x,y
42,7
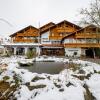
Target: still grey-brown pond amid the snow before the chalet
x,y
46,67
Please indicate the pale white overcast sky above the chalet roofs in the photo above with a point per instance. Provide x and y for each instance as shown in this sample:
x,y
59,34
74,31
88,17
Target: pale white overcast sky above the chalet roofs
x,y
20,13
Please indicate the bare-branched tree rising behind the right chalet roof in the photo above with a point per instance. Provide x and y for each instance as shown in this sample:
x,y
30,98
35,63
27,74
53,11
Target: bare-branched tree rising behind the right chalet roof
x,y
91,14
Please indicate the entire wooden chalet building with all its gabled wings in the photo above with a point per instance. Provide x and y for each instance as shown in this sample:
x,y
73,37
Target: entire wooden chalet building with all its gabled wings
x,y
61,39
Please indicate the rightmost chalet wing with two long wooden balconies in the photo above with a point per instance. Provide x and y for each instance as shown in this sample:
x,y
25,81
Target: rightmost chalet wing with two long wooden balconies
x,y
82,42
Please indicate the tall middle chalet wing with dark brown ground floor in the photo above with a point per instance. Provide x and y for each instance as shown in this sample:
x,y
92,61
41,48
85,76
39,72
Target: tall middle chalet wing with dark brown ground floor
x,y
52,36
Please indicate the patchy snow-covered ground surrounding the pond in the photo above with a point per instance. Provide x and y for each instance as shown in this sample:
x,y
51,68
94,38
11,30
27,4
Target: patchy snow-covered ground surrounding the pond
x,y
63,86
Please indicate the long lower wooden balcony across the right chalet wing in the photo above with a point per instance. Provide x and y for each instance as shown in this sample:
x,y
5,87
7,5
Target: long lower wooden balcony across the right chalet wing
x,y
84,45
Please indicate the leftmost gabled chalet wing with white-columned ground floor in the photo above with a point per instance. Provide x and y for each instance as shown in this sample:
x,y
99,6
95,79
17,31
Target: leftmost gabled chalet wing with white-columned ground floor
x,y
24,40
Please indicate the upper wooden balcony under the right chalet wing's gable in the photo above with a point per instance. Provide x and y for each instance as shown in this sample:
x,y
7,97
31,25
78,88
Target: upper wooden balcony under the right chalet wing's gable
x,y
88,35
